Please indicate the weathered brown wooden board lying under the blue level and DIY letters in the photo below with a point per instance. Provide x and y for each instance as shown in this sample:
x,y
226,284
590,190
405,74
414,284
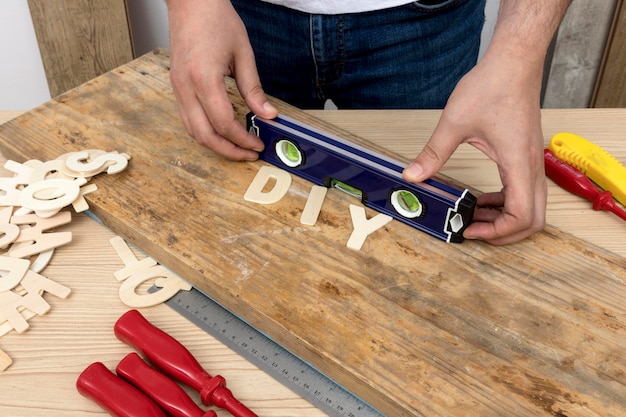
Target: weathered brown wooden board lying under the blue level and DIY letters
x,y
413,325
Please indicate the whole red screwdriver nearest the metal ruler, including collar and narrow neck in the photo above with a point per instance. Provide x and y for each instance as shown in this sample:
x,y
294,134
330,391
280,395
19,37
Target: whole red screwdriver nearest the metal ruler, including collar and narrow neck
x,y
170,356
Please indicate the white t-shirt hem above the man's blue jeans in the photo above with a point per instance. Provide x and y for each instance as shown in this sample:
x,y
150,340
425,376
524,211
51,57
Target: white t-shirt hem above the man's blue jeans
x,y
338,7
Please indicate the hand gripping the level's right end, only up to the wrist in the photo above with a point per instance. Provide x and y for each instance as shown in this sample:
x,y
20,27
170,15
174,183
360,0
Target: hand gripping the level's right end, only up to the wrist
x,y
498,116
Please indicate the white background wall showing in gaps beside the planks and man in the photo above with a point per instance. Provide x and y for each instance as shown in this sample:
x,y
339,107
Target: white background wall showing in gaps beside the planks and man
x,y
22,78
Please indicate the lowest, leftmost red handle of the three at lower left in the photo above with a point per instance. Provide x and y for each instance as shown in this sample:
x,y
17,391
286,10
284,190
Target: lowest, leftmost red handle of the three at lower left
x,y
115,395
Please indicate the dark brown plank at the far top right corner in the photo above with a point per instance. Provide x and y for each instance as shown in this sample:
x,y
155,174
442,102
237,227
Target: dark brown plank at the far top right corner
x,y
610,90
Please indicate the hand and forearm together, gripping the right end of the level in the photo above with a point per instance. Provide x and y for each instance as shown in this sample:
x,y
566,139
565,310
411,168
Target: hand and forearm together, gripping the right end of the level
x,y
495,107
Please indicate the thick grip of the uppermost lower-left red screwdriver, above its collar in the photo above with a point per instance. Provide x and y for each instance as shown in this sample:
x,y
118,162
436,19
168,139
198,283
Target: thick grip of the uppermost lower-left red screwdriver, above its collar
x,y
162,350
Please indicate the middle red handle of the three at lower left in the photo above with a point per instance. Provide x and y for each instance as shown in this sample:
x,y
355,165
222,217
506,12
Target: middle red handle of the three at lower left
x,y
163,391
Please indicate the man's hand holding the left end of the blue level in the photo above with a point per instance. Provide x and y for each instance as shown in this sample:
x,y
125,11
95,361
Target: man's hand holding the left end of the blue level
x,y
208,42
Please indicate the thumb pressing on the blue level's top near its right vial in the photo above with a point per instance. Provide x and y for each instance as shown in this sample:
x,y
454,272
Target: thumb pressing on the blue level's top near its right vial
x,y
435,153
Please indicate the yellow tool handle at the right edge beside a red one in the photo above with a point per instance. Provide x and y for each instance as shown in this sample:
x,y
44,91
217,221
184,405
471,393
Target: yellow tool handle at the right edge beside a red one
x,y
593,161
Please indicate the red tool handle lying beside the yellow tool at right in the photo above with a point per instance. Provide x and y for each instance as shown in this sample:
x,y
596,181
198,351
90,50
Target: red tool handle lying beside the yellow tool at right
x,y
574,181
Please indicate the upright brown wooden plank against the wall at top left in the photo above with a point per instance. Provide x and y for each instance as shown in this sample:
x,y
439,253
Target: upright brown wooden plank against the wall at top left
x,y
80,39
